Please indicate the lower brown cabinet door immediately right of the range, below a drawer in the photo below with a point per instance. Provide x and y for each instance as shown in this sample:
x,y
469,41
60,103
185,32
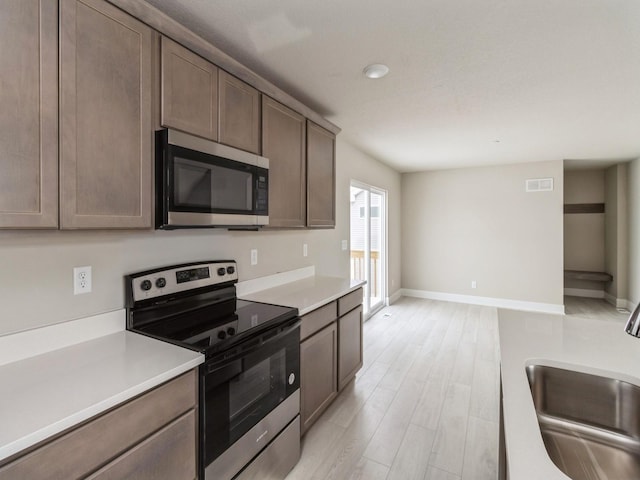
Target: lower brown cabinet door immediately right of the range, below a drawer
x,y
318,374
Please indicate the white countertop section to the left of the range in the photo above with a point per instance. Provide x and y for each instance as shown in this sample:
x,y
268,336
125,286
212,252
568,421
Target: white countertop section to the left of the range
x,y
46,394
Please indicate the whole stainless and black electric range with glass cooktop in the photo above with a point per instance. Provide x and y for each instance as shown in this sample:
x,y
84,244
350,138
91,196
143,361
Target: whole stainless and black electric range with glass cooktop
x,y
249,422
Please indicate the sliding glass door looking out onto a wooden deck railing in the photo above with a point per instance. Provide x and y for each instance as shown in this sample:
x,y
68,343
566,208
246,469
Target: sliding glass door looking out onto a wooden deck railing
x,y
368,227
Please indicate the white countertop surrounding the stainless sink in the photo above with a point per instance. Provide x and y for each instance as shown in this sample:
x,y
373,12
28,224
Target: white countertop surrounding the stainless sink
x,y
599,347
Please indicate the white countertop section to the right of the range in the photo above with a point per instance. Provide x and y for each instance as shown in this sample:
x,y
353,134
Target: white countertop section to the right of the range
x,y
305,294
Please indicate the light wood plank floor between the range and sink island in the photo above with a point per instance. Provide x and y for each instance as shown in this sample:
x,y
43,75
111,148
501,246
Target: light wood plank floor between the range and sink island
x,y
424,406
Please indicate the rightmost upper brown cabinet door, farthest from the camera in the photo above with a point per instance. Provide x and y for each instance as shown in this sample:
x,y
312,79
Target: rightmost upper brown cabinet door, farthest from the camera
x,y
321,179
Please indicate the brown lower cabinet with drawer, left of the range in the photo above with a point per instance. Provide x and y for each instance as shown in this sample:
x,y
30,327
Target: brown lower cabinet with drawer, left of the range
x,y
153,436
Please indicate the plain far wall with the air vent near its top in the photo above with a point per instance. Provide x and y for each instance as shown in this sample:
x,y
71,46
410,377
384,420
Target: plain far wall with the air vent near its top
x,y
480,224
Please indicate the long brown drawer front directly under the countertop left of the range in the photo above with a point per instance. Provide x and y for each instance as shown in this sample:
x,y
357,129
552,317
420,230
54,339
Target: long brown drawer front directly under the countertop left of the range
x,y
86,448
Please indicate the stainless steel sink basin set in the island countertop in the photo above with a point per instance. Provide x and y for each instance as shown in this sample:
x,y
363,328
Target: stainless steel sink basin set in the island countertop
x,y
590,424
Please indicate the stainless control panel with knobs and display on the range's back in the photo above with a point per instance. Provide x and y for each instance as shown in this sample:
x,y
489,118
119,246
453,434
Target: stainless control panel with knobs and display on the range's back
x,y
180,278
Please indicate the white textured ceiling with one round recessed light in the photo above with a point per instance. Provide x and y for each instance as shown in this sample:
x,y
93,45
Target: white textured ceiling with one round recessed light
x,y
472,82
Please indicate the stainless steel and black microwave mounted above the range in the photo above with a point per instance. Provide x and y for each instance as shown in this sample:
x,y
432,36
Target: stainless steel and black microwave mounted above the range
x,y
200,183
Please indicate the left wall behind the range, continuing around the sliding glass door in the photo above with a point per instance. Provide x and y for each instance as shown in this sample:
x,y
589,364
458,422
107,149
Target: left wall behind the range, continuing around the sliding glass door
x,y
36,286
